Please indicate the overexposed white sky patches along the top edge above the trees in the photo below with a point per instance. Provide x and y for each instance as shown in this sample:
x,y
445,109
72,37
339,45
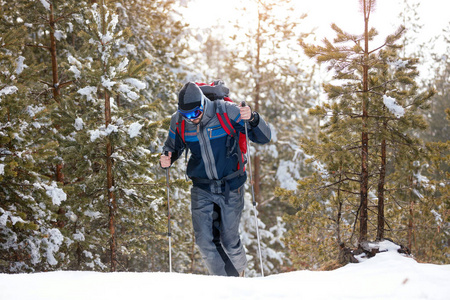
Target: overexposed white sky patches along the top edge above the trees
x,y
434,15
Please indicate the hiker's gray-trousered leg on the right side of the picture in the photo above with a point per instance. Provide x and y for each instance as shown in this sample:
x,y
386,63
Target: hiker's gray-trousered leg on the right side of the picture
x,y
229,234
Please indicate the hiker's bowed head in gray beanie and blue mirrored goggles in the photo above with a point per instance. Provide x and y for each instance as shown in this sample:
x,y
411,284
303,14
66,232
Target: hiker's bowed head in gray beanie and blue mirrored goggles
x,y
191,102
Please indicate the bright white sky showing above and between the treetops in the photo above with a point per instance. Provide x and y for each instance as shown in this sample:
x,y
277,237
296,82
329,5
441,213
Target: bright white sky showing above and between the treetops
x,y
434,16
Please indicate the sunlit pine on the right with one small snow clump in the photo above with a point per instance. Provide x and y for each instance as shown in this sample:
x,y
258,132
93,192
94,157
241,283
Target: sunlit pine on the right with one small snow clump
x,y
364,142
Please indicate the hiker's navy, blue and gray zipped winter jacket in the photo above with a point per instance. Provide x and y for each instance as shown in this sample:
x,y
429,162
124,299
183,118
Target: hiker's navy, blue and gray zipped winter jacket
x,y
214,154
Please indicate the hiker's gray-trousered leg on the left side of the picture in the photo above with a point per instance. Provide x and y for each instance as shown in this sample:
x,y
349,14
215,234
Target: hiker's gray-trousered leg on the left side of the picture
x,y
202,207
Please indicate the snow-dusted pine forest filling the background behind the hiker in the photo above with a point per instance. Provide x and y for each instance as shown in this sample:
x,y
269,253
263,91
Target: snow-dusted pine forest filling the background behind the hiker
x,y
360,148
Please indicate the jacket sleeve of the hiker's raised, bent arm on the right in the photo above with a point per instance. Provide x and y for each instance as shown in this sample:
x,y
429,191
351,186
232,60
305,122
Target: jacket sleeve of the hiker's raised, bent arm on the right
x,y
258,130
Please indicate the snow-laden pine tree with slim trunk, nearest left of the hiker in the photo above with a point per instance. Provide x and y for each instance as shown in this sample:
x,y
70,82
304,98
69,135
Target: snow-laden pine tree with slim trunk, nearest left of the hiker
x,y
118,191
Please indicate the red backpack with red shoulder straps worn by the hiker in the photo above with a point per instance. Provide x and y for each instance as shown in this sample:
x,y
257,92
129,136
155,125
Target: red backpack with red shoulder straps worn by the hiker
x,y
215,91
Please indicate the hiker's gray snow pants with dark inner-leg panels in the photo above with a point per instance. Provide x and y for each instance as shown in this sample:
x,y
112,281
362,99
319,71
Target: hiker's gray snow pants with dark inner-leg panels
x,y
216,228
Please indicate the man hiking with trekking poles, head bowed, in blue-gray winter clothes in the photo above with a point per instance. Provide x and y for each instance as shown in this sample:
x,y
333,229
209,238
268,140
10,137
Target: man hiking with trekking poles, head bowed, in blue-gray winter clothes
x,y
216,168
